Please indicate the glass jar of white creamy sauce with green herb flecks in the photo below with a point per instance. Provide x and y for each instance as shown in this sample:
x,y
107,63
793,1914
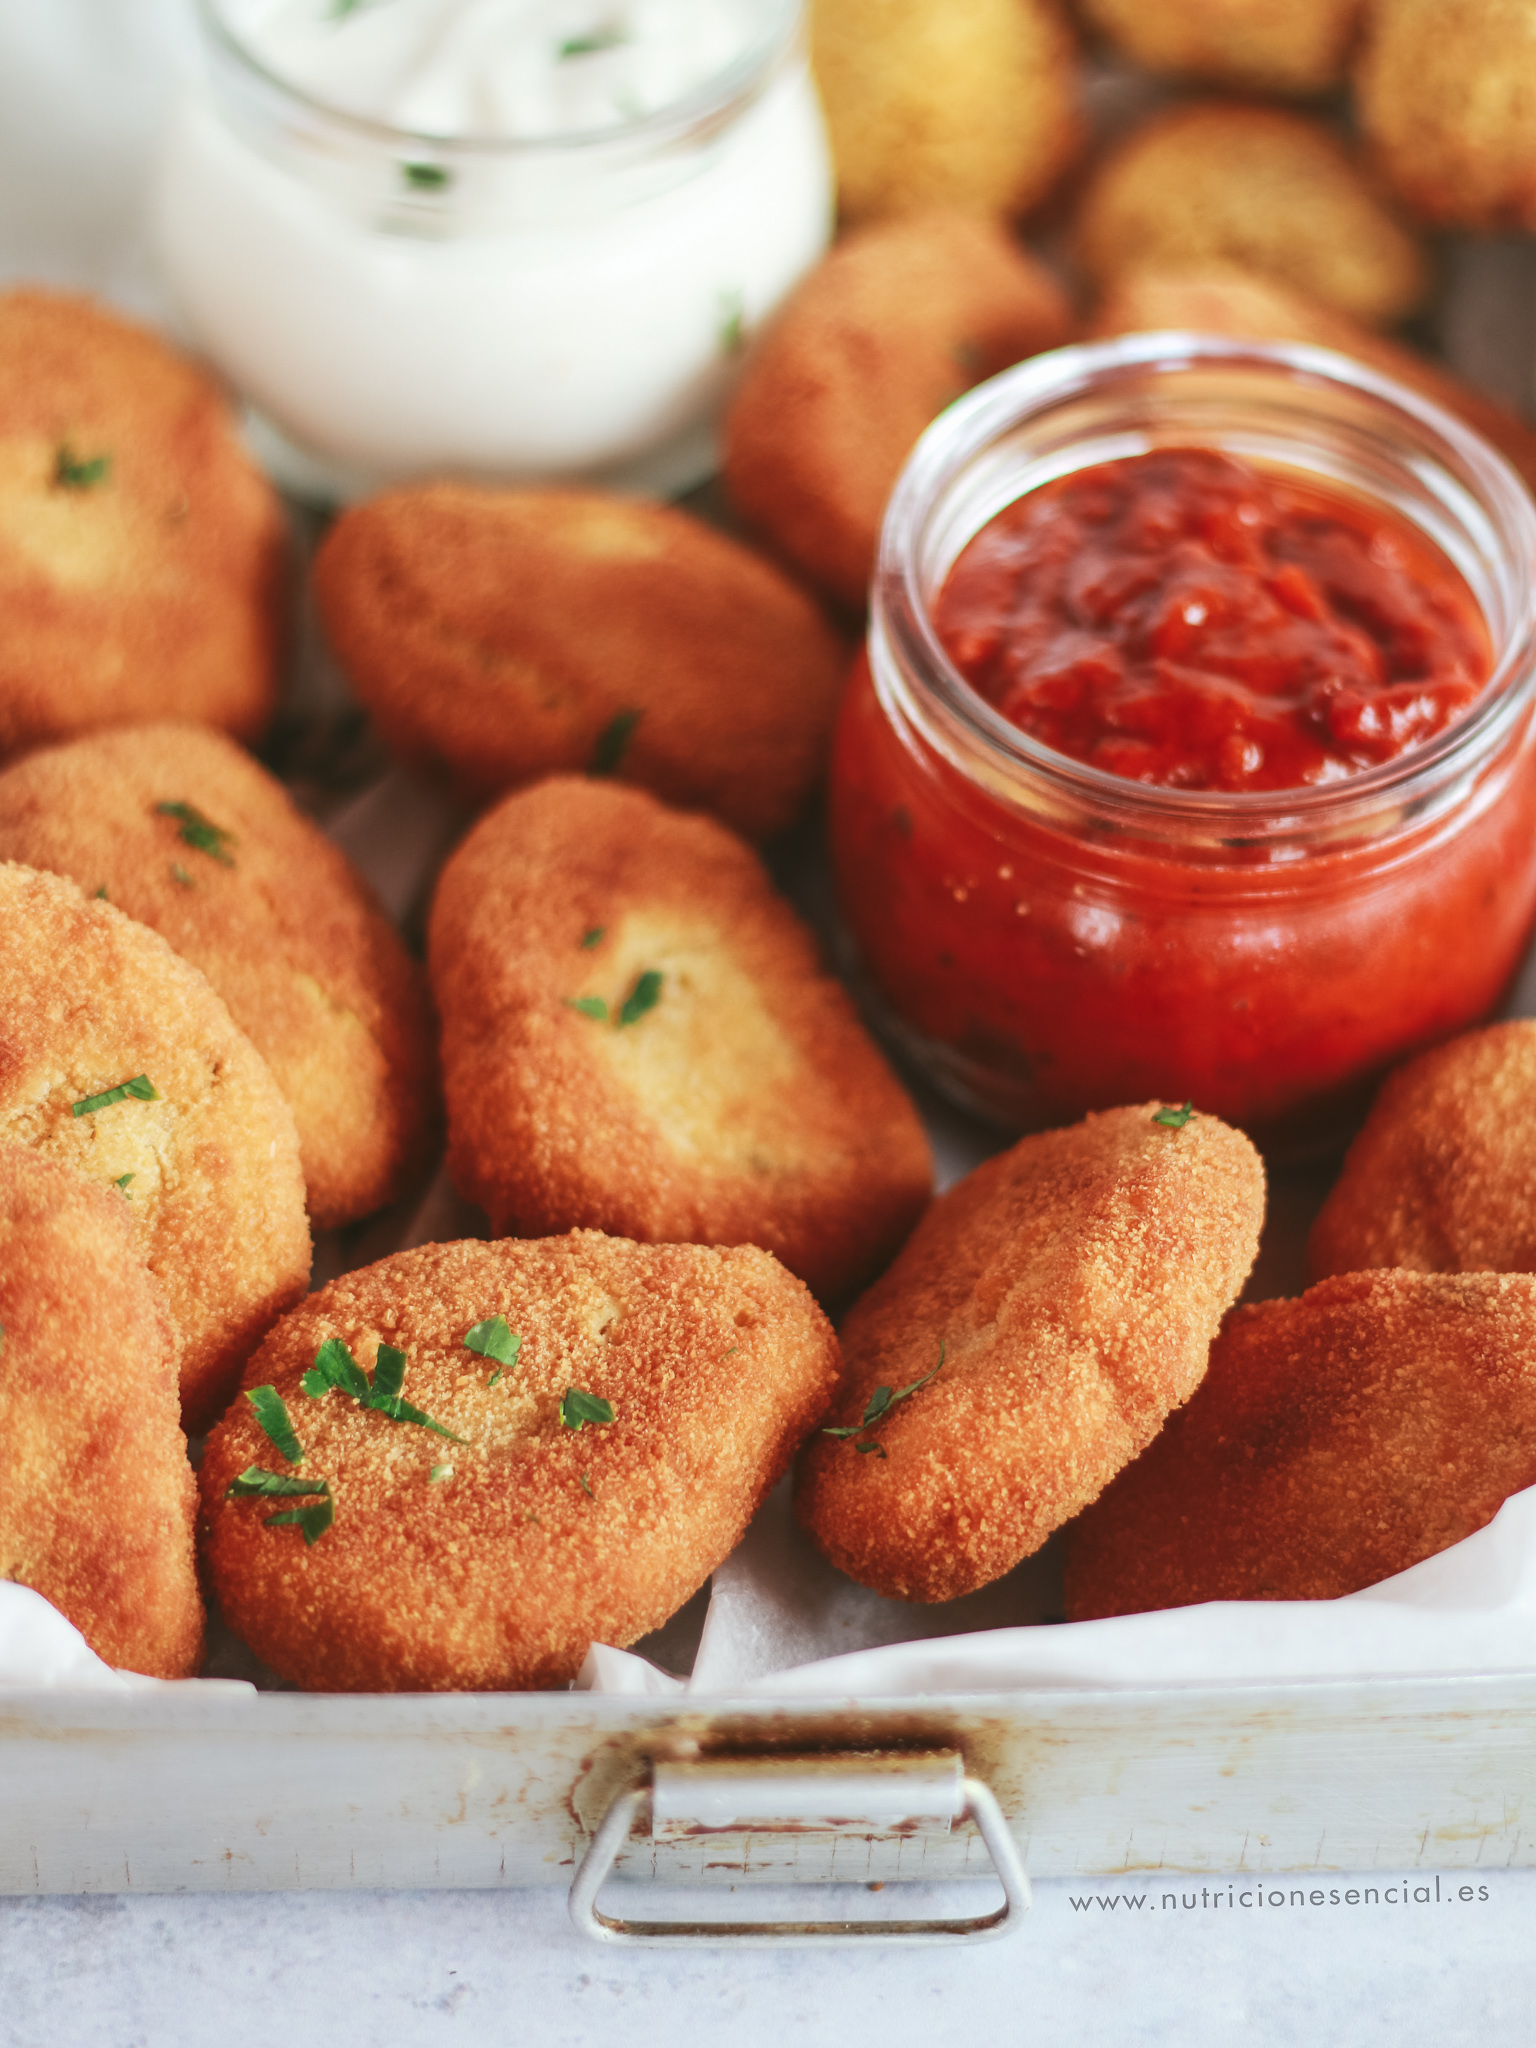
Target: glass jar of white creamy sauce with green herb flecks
x,y
503,239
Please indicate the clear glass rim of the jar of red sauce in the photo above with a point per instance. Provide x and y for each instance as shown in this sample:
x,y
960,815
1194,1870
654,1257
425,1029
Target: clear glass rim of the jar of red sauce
x,y
1029,390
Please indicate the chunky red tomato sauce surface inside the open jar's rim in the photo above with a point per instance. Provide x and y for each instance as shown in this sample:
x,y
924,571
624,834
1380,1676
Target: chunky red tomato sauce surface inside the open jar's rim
x,y
1181,620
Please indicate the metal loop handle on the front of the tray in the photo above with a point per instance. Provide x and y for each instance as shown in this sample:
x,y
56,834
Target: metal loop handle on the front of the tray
x,y
824,1795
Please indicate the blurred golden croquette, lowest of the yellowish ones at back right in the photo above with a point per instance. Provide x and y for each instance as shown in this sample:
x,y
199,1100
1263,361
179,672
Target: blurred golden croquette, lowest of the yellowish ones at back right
x,y
1258,187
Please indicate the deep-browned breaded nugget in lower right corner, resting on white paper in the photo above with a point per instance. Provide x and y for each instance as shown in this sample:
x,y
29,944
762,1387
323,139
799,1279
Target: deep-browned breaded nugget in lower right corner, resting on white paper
x,y
1334,1443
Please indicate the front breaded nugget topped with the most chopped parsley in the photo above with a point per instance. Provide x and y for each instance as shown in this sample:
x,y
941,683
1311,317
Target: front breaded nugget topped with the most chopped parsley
x,y
495,1562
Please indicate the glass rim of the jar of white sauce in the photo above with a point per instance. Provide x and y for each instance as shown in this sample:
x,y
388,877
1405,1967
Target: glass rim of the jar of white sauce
x,y
699,108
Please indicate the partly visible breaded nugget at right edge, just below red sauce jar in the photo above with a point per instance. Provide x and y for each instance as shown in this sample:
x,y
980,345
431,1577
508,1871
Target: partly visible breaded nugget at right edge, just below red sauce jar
x,y
1443,1177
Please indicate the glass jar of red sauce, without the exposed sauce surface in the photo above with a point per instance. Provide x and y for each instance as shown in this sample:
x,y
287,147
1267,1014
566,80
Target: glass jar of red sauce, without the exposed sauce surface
x,y
1052,937
